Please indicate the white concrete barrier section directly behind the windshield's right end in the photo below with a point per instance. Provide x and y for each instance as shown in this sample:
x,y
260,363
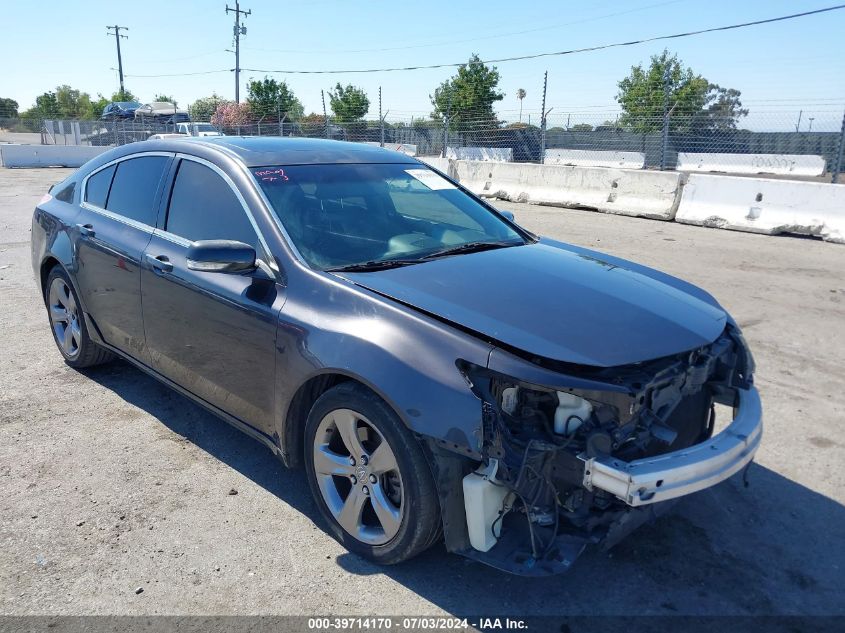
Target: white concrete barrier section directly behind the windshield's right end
x,y
650,194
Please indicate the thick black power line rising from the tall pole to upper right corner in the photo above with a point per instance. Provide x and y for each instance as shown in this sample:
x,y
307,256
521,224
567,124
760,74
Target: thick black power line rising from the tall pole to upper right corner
x,y
559,53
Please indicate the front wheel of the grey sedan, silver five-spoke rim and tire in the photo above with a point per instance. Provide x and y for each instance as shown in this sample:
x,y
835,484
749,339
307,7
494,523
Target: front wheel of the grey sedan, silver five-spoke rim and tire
x,y
369,476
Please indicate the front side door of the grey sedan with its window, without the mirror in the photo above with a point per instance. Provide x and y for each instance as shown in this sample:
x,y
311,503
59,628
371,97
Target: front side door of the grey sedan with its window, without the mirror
x,y
212,333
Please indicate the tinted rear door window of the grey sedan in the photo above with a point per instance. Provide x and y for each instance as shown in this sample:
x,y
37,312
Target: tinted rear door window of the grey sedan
x,y
134,188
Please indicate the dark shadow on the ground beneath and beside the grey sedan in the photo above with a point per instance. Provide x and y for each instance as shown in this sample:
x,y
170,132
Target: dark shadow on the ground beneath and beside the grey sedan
x,y
772,548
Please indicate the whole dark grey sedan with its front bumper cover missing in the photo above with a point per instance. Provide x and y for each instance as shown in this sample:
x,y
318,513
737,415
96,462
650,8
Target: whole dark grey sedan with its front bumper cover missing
x,y
439,371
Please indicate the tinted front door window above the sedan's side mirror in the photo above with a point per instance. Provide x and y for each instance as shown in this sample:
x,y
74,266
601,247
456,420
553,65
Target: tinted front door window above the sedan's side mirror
x,y
204,207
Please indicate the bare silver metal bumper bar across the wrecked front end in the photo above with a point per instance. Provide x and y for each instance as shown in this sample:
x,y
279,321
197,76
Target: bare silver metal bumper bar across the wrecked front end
x,y
672,475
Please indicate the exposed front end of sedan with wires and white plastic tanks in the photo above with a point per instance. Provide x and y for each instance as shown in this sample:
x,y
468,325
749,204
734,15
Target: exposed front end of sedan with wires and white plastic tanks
x,y
529,506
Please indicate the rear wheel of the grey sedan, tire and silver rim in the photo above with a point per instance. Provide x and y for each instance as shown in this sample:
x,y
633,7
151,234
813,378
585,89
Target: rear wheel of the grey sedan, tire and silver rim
x,y
68,323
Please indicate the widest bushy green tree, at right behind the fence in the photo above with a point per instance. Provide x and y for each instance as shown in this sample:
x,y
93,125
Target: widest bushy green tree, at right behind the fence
x,y
694,103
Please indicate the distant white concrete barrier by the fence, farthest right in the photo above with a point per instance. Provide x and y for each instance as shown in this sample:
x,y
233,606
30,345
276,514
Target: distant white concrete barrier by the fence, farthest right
x,y
784,164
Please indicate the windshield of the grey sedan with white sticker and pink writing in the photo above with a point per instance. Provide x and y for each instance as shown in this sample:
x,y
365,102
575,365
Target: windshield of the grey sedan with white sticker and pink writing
x,y
371,216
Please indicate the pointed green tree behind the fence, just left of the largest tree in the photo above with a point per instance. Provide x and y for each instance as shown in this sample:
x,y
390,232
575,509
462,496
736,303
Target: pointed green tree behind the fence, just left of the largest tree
x,y
468,97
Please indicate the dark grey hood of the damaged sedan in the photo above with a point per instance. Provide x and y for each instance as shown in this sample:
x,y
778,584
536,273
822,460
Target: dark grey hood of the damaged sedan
x,y
559,302
